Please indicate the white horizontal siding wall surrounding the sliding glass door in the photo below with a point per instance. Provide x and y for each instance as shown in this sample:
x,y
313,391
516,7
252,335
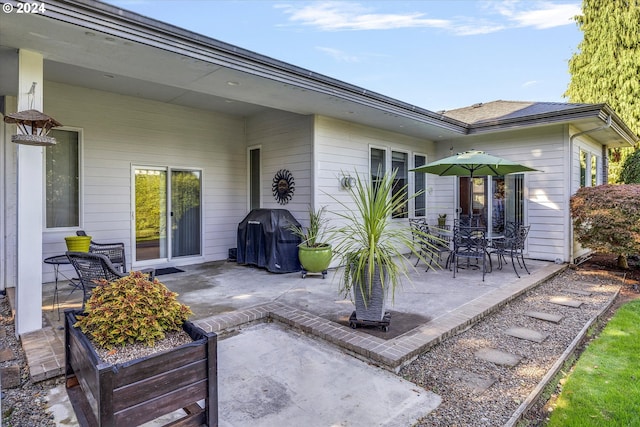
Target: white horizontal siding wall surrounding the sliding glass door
x,y
119,132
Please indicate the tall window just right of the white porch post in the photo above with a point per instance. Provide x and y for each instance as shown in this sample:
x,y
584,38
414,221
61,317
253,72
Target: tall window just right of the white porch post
x,y
62,180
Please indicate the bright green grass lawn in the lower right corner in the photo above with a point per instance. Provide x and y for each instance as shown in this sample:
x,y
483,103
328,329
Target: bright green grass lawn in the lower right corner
x,y
604,387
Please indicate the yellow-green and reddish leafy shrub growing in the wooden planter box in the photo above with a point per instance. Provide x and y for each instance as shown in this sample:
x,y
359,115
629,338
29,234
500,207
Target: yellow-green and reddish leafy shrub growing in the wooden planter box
x,y
131,309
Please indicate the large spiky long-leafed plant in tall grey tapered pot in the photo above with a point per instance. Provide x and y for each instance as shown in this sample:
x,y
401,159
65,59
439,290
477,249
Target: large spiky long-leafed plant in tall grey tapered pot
x,y
371,245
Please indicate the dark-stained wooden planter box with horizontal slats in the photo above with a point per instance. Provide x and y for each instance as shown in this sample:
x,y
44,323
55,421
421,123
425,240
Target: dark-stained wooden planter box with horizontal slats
x,y
143,389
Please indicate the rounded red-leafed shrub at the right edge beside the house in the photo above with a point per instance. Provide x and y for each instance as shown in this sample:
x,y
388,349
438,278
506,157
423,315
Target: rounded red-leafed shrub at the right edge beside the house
x,y
606,219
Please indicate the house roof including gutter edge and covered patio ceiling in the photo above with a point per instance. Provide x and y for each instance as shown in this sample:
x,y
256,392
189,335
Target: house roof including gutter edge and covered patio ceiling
x,y
100,46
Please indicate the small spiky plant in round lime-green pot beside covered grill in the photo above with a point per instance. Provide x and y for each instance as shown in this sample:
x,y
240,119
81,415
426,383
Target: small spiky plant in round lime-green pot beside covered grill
x,y
314,253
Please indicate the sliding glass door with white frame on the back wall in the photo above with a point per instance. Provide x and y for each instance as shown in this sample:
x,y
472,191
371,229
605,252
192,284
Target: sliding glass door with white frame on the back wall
x,y
167,216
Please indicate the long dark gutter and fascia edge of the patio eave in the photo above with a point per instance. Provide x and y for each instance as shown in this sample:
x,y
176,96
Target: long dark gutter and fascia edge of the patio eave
x,y
104,18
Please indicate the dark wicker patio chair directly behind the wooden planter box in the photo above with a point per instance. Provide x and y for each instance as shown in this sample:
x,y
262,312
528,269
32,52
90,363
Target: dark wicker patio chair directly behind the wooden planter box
x,y
92,267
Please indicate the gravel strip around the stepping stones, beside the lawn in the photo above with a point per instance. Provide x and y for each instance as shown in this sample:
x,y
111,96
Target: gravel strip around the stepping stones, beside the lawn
x,y
476,392
